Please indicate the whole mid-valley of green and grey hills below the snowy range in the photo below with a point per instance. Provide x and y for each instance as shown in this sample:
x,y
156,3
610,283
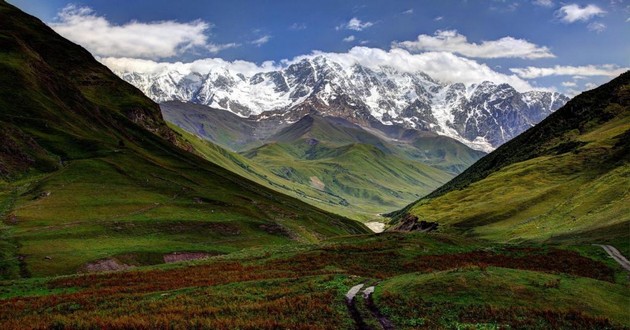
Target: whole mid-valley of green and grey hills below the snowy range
x,y
326,161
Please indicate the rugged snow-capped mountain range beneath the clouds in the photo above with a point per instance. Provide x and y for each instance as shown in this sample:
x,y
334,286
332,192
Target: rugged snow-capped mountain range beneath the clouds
x,y
483,115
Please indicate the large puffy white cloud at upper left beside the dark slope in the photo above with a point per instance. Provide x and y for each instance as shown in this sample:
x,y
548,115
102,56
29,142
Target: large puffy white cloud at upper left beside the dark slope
x,y
151,40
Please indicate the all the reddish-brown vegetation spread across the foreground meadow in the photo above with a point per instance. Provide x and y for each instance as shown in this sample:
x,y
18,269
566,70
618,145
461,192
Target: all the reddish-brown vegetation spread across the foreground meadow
x,y
123,299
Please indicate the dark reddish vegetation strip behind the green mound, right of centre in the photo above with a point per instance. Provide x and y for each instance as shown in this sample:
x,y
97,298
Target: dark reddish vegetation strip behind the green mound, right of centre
x,y
390,263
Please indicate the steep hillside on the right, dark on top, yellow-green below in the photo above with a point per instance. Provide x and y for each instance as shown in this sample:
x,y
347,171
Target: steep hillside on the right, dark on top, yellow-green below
x,y
567,178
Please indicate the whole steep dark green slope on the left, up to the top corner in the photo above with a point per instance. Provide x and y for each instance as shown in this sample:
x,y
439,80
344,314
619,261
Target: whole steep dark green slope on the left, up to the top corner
x,y
90,171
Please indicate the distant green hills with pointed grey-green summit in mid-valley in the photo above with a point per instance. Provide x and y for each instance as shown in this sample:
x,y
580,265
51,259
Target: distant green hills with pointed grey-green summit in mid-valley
x,y
366,174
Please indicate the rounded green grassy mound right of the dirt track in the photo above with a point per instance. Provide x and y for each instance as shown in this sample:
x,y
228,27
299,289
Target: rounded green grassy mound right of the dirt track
x,y
444,299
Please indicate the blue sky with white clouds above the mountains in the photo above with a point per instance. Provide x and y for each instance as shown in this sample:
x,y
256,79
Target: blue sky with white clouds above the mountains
x,y
567,46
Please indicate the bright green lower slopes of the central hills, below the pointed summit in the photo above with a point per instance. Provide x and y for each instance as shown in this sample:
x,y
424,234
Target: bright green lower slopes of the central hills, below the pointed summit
x,y
368,180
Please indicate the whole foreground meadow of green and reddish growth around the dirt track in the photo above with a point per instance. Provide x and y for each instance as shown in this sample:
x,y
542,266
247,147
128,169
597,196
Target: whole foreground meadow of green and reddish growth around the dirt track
x,y
429,281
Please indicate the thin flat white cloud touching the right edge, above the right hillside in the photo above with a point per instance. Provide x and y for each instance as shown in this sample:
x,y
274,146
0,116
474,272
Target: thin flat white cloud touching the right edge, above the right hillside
x,y
607,70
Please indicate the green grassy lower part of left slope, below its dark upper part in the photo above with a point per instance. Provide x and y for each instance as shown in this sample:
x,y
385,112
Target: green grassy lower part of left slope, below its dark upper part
x,y
119,215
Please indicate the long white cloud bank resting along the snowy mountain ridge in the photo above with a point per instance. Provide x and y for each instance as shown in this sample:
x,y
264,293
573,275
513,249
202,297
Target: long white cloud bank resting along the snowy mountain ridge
x,y
445,67
